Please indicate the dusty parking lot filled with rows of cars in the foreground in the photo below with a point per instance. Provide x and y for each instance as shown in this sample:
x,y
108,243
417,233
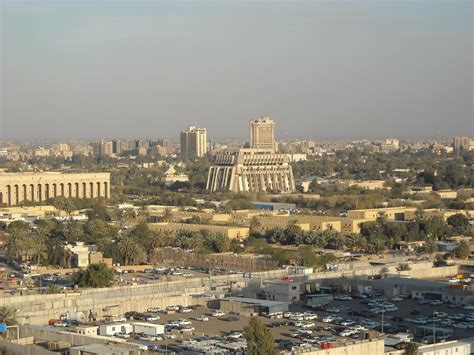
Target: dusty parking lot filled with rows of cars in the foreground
x,y
352,320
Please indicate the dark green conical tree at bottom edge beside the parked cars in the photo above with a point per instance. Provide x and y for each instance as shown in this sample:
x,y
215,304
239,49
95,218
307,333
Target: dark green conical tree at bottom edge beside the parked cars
x,y
259,339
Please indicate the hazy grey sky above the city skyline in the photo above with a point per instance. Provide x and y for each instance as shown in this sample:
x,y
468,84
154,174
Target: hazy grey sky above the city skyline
x,y
92,69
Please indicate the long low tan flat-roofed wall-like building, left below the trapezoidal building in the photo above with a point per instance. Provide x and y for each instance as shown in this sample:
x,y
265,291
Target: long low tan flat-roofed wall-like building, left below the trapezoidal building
x,y
230,231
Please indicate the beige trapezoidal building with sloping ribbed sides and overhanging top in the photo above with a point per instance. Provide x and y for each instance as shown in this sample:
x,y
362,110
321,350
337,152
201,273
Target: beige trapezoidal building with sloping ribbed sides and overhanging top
x,y
250,170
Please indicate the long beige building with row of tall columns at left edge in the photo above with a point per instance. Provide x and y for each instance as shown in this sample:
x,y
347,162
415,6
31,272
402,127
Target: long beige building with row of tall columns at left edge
x,y
18,187
